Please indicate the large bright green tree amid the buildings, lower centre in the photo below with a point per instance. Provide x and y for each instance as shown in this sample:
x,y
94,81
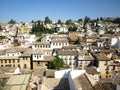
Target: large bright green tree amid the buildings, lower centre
x,y
57,63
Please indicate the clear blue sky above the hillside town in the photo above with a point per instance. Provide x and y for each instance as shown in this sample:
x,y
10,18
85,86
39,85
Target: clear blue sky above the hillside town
x,y
27,10
